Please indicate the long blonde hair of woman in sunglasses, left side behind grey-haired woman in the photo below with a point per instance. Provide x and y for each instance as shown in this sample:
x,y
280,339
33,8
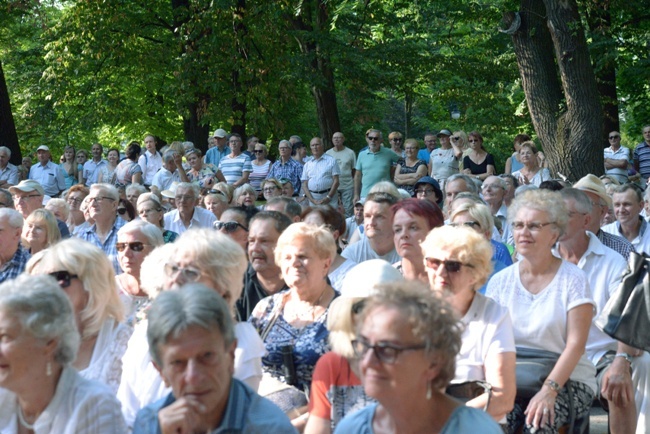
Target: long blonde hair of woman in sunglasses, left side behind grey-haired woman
x,y
96,274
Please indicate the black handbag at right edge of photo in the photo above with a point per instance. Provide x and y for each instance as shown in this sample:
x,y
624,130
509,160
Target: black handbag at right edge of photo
x,y
626,316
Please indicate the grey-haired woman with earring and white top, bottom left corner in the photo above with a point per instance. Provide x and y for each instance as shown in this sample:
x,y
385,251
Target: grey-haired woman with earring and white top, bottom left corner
x,y
39,391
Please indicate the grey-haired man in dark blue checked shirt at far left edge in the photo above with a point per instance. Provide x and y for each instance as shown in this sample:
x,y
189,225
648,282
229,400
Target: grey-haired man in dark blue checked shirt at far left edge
x,y
13,257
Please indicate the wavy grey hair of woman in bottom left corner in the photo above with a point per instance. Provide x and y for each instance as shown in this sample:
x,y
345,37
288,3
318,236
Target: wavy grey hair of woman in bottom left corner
x,y
44,311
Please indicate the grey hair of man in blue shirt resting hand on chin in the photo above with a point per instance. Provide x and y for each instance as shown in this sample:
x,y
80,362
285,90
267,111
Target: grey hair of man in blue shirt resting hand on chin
x,y
193,305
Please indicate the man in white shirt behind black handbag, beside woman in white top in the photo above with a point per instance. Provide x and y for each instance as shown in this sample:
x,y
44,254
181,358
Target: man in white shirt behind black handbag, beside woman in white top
x,y
622,370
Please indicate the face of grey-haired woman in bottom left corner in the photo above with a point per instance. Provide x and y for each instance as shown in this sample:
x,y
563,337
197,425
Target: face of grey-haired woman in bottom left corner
x,y
22,356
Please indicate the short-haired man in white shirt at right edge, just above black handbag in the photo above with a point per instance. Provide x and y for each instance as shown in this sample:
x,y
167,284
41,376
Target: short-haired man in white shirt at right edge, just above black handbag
x,y
628,203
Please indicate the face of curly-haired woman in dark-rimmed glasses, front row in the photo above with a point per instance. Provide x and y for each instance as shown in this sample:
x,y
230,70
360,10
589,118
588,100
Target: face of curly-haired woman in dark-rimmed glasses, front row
x,y
408,376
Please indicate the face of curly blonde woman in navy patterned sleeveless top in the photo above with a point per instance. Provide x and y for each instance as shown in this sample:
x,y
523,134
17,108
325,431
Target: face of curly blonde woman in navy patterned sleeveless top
x,y
301,266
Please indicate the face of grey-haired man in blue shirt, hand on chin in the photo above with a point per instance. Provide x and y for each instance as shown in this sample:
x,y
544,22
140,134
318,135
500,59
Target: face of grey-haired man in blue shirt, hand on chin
x,y
198,365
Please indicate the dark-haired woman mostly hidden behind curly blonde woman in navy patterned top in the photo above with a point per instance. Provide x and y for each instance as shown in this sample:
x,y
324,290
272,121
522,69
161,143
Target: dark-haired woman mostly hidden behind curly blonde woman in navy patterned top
x,y
331,219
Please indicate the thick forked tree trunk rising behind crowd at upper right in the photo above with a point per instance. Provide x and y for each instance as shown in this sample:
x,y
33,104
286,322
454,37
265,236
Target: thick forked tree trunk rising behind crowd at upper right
x,y
563,100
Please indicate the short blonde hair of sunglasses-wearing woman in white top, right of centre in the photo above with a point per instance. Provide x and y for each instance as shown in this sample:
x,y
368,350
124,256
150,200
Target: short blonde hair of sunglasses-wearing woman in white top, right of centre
x,y
466,245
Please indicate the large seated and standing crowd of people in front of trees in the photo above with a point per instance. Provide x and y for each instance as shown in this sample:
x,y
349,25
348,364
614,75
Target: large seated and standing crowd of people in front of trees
x,y
390,290
